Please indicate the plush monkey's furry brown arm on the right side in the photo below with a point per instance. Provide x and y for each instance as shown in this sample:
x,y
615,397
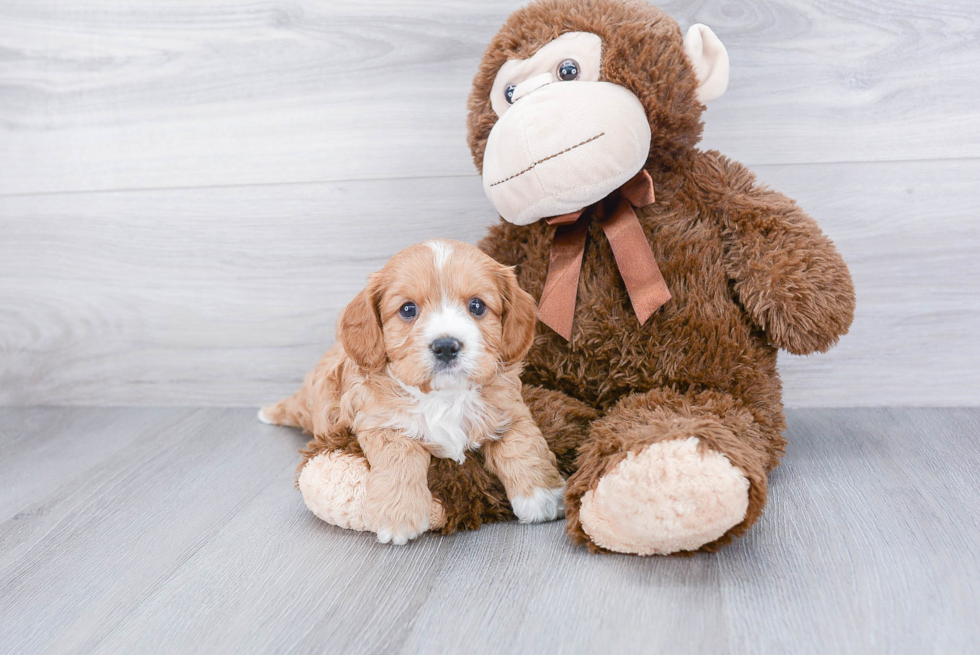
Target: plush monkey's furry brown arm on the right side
x,y
786,272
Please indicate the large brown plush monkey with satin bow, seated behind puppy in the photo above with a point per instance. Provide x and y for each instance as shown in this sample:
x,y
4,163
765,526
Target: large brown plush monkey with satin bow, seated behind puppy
x,y
667,279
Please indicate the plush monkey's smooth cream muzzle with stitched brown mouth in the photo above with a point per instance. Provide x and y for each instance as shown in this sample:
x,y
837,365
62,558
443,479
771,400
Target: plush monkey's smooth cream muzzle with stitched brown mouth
x,y
563,146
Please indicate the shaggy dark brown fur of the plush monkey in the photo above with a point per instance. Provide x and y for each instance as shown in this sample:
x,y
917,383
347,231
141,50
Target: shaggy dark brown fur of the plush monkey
x,y
749,272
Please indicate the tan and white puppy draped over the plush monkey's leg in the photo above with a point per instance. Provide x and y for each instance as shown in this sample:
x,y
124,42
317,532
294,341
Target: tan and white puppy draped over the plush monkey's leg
x,y
427,363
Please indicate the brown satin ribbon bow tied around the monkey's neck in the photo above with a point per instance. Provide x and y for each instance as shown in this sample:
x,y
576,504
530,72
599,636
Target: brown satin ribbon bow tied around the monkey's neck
x,y
644,283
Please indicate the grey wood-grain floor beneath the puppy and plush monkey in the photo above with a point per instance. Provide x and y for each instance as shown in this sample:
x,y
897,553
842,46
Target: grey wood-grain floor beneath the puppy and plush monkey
x,y
179,530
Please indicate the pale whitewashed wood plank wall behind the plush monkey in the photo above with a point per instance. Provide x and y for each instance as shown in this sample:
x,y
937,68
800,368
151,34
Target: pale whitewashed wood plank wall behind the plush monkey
x,y
190,192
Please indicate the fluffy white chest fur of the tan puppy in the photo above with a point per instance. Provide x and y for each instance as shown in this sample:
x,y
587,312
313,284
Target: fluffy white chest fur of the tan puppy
x,y
443,419
